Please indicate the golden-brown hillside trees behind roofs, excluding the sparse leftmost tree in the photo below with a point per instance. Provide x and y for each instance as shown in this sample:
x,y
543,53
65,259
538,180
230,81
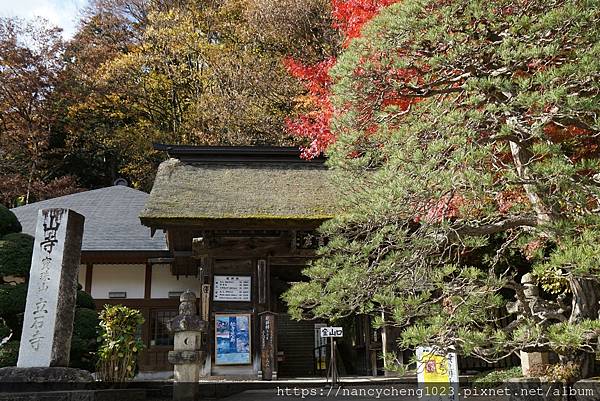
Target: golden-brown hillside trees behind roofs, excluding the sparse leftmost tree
x,y
195,73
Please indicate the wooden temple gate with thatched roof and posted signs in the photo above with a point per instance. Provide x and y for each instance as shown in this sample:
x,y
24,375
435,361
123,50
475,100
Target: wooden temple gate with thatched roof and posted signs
x,y
242,220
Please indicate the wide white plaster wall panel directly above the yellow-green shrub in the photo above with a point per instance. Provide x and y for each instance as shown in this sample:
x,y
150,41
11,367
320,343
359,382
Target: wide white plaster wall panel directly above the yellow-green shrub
x,y
128,278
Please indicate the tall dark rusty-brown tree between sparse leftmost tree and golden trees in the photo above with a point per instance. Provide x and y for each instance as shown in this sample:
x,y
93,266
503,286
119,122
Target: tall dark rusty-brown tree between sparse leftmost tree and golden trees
x,y
108,29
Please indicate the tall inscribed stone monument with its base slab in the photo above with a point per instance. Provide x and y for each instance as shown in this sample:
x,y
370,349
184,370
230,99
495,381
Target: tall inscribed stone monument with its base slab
x,y
51,295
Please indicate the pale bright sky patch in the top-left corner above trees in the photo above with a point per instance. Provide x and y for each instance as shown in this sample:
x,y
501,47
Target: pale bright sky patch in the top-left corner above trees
x,y
62,13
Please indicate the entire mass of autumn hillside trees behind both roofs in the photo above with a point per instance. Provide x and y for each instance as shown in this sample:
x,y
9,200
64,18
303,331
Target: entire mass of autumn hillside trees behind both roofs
x,y
138,72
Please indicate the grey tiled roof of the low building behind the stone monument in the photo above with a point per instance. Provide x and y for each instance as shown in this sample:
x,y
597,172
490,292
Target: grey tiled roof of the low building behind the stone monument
x,y
111,219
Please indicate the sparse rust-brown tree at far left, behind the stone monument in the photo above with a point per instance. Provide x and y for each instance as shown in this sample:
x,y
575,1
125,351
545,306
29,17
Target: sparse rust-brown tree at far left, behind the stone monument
x,y
30,63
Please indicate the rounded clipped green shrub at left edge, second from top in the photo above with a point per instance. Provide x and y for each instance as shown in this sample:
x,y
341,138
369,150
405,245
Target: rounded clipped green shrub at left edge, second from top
x,y
15,254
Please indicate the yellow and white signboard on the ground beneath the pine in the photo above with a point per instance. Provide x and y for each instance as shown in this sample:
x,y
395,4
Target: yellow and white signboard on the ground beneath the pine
x,y
439,373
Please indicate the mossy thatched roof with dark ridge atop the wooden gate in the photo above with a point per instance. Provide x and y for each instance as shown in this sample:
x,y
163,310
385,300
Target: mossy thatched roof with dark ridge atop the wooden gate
x,y
198,186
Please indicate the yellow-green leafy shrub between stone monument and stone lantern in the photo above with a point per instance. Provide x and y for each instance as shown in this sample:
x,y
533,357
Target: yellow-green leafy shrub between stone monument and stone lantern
x,y
120,344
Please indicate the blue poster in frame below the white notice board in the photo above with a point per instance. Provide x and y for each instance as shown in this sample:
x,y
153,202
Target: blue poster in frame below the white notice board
x,y
232,339
